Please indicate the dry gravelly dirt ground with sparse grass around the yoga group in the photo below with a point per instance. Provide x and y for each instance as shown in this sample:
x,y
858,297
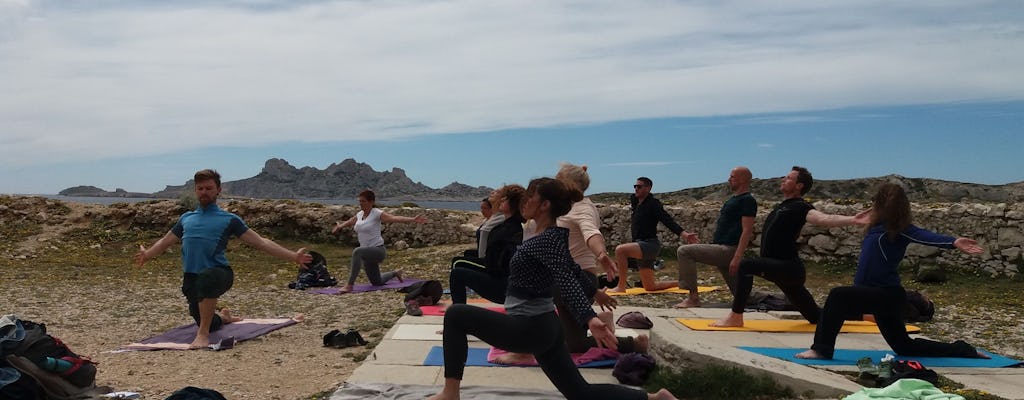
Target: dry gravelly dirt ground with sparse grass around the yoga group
x,y
77,279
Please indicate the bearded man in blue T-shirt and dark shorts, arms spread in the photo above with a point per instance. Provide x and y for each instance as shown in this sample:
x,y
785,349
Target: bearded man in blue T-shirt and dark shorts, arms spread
x,y
204,234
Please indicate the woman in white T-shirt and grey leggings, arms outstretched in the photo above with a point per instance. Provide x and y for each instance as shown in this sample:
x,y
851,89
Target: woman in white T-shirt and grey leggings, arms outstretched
x,y
370,254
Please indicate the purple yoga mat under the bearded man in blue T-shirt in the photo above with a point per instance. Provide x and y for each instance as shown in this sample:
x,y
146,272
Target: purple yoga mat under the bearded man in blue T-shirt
x,y
180,338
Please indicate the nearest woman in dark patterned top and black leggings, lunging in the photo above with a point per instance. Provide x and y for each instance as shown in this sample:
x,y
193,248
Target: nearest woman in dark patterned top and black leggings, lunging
x,y
531,325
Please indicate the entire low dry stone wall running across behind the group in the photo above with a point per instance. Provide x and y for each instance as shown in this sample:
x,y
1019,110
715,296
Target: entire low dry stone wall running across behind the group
x,y
999,228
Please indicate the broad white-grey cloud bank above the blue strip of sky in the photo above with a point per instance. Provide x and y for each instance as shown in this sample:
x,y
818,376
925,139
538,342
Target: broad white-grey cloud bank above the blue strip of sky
x,y
95,80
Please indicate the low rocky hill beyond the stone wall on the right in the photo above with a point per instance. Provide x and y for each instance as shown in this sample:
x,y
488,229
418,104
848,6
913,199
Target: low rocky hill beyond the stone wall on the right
x,y
919,191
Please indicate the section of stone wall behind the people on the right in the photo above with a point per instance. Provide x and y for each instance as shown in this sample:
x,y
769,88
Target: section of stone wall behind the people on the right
x,y
999,228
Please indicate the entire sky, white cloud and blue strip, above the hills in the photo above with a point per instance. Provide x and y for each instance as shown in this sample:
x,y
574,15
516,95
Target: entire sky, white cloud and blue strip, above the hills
x,y
141,95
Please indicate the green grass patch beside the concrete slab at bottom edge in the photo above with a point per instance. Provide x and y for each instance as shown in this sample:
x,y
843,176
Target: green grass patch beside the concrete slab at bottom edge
x,y
717,382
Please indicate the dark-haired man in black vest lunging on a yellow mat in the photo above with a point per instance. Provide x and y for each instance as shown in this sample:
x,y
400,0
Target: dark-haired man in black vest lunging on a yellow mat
x,y
780,261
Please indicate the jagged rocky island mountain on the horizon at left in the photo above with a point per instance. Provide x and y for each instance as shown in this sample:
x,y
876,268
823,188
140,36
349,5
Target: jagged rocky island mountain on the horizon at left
x,y
281,181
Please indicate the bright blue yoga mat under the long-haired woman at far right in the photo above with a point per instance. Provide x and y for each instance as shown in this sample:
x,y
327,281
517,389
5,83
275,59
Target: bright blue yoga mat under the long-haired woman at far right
x,y
850,358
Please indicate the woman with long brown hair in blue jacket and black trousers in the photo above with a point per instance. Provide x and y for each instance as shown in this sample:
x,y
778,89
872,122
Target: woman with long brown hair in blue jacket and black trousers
x,y
877,289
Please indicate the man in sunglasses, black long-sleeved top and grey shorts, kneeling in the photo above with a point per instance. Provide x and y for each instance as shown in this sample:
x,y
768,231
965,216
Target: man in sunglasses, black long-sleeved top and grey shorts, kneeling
x,y
648,212
